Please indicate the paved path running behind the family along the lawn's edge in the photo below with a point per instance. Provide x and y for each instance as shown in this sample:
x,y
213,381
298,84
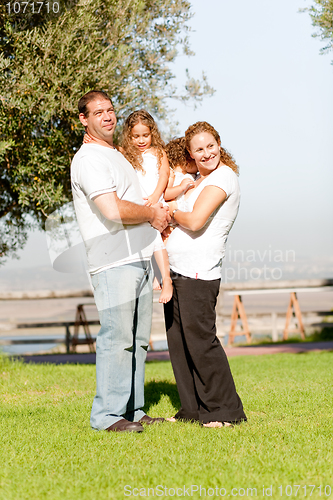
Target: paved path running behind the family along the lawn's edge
x,y
90,358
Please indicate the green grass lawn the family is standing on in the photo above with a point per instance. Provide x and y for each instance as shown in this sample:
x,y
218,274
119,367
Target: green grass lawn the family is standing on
x,y
49,451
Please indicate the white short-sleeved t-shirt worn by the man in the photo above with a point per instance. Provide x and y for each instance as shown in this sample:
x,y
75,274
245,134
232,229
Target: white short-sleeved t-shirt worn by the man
x,y
99,170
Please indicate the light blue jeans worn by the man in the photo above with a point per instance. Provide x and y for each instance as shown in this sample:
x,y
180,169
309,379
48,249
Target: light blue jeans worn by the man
x,y
123,297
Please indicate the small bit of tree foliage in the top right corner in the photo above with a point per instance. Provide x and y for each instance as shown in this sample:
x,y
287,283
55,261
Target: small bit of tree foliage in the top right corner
x,y
322,17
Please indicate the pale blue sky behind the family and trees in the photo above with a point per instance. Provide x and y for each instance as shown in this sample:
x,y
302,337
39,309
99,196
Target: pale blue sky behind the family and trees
x,y
273,107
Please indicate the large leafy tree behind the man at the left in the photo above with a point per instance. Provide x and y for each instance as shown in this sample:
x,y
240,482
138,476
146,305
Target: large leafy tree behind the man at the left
x,y
48,61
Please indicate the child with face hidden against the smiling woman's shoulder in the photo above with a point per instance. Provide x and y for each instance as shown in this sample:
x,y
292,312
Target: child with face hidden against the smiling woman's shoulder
x,y
183,169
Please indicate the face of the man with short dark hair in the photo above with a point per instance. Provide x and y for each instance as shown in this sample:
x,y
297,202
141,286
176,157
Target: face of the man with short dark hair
x,y
100,121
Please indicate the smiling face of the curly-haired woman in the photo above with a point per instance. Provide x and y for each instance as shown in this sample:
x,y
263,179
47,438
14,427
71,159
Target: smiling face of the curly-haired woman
x,y
205,150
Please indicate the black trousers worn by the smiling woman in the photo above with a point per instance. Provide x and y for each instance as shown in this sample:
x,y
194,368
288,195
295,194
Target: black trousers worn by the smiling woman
x,y
205,384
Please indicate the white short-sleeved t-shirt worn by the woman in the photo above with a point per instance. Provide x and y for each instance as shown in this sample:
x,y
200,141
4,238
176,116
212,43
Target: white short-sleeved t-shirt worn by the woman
x,y
199,254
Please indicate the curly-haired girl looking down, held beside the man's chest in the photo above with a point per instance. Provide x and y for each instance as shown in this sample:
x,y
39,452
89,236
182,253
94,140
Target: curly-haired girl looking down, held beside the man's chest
x,y
143,147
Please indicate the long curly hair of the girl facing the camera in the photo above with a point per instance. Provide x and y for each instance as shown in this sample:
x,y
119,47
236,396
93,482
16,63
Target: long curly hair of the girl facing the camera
x,y
131,152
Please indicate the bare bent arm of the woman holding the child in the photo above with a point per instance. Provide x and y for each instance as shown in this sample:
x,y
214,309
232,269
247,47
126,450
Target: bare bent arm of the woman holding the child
x,y
208,200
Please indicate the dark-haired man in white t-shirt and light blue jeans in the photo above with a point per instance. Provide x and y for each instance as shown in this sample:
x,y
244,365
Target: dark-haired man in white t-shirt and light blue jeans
x,y
118,233
